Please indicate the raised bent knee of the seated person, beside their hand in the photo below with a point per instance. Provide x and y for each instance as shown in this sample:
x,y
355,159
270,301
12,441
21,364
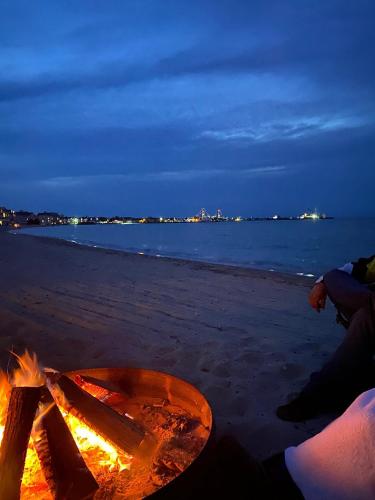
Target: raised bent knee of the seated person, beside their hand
x,y
346,293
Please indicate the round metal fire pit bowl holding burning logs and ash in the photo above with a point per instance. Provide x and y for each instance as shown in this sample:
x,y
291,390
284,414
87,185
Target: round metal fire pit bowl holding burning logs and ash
x,y
114,433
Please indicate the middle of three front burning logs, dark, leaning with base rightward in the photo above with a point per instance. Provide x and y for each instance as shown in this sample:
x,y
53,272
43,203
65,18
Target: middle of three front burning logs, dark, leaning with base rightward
x,y
63,466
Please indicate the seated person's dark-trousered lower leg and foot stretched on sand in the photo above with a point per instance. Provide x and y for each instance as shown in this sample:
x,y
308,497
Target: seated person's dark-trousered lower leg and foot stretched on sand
x,y
349,371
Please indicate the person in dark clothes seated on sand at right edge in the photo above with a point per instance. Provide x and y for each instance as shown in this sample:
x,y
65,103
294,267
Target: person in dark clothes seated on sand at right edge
x,y
350,370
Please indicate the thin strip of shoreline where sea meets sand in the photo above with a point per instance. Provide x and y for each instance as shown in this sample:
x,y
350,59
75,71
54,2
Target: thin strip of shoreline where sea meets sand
x,y
139,253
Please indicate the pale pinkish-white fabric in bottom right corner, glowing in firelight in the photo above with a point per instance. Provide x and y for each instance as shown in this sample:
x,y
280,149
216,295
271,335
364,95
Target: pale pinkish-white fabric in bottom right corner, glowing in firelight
x,y
339,462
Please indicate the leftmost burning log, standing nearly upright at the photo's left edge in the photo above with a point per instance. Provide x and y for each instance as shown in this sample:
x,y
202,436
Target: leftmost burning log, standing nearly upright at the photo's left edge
x,y
22,406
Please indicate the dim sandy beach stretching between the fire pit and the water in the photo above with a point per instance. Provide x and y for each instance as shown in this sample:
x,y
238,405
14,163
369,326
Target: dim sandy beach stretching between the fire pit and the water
x,y
246,338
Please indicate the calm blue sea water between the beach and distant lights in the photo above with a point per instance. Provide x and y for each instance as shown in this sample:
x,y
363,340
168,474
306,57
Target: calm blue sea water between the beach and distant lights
x,y
299,247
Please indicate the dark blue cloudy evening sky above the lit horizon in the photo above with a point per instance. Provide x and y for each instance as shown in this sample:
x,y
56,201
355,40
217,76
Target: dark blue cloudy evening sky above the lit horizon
x,y
162,107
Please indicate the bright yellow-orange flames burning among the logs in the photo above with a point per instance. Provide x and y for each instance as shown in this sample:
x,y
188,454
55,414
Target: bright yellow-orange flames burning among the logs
x,y
95,450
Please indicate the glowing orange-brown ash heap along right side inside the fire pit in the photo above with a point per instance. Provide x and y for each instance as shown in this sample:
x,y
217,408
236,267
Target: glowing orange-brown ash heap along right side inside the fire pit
x,y
180,436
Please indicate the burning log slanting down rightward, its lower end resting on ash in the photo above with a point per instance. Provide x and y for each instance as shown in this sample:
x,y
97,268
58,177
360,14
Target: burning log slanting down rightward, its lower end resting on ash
x,y
120,430
